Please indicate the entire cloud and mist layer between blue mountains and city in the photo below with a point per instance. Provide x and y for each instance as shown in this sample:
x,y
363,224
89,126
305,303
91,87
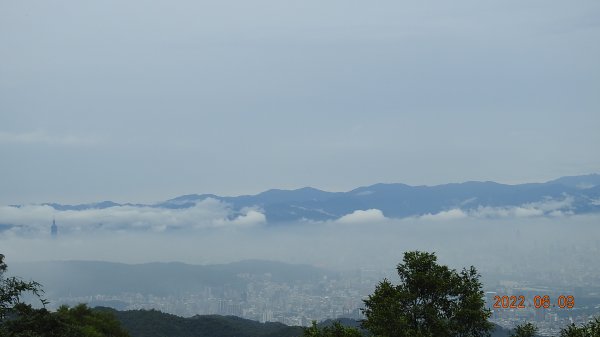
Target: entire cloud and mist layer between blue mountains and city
x,y
524,241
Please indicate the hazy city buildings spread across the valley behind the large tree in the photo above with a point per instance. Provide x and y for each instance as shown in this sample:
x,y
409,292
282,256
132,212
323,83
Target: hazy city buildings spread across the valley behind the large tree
x,y
266,300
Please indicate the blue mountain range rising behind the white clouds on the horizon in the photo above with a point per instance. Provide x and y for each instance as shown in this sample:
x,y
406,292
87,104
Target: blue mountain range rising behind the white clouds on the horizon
x,y
571,195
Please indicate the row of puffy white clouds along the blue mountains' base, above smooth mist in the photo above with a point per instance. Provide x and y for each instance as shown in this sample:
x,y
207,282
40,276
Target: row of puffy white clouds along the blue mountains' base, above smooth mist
x,y
32,220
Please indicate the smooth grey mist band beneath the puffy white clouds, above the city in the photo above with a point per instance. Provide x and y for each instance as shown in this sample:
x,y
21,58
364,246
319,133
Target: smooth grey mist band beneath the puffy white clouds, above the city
x,y
528,247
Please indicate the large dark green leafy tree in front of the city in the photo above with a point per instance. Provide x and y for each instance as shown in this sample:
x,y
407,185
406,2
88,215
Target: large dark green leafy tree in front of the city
x,y
430,301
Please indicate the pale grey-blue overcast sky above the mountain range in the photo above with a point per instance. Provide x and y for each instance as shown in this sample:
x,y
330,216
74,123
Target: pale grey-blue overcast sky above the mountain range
x,y
145,100
